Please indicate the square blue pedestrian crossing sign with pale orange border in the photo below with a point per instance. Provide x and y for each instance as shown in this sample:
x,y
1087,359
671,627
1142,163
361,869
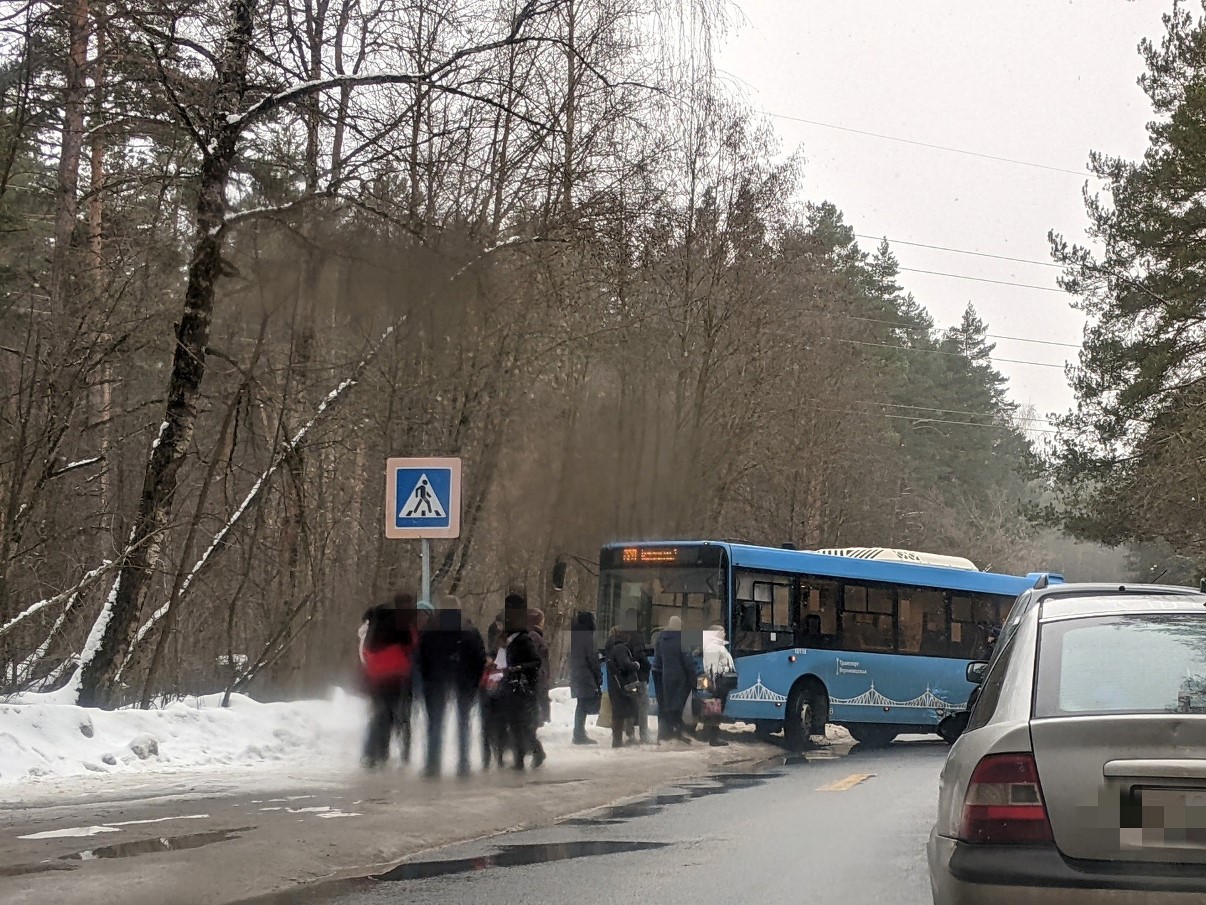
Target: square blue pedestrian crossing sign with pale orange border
x,y
423,498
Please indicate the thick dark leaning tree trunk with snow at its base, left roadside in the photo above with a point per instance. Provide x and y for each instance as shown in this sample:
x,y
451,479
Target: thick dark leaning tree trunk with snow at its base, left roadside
x,y
110,638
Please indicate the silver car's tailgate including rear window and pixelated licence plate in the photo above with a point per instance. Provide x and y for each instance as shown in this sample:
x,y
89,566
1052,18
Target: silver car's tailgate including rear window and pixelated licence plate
x,y
1120,735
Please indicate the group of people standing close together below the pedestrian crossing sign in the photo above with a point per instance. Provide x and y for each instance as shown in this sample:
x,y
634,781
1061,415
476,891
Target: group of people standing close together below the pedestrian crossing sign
x,y
413,650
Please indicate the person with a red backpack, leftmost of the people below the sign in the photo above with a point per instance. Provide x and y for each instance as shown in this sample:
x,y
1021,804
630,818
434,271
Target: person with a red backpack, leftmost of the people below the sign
x,y
388,655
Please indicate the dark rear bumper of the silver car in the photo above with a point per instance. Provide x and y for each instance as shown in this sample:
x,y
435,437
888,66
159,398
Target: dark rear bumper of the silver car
x,y
1040,875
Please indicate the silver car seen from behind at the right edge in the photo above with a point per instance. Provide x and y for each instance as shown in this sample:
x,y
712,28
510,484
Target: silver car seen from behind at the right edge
x,y
1082,774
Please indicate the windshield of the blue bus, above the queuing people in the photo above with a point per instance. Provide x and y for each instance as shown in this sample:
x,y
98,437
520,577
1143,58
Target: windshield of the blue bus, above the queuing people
x,y
652,595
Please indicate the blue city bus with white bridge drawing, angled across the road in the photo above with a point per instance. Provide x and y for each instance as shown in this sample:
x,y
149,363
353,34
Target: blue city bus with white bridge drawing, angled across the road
x,y
877,641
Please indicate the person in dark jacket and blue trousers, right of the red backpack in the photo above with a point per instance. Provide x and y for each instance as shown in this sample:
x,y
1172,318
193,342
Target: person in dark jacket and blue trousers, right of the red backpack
x,y
452,659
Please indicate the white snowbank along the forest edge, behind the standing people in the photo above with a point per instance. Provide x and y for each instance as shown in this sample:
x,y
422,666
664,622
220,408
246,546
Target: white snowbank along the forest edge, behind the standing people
x,y
44,739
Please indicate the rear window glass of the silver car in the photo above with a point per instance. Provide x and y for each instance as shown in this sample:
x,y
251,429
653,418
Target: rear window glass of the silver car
x,y
1122,664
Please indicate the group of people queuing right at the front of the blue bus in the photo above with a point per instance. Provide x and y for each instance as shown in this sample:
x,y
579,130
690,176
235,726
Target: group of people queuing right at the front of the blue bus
x,y
629,673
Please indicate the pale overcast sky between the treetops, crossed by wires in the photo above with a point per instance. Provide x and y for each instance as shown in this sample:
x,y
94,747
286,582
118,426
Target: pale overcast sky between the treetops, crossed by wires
x,y
1043,81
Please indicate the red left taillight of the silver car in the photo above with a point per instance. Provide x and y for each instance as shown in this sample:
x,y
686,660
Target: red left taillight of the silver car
x,y
1005,803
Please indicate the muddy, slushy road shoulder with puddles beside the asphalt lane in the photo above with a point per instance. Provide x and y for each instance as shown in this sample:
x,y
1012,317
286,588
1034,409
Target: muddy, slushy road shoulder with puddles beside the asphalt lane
x,y
280,837
